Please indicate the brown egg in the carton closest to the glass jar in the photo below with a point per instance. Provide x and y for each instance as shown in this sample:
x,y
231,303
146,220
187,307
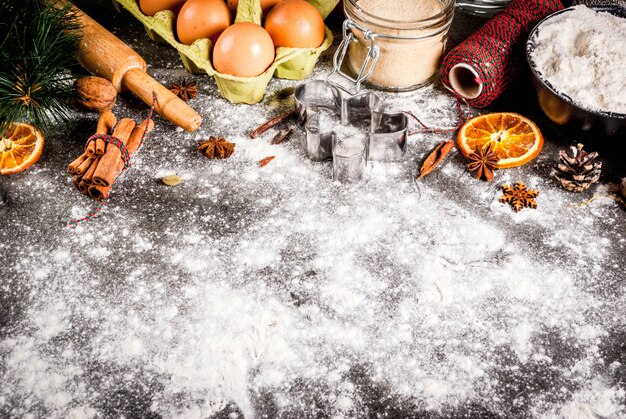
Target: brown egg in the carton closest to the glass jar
x,y
295,24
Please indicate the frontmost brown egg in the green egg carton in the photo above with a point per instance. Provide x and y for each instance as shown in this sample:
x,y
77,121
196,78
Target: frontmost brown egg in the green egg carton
x,y
245,50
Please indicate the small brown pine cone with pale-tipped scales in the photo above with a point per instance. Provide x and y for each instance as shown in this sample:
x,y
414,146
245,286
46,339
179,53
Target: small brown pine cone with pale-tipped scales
x,y
578,171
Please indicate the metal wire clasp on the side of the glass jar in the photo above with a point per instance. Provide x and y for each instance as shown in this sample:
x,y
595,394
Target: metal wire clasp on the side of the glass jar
x,y
373,52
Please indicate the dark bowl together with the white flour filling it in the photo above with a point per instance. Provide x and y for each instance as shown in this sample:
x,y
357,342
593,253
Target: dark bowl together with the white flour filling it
x,y
578,60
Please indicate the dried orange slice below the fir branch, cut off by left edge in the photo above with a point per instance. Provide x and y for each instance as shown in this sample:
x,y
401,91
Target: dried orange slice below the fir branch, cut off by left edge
x,y
20,146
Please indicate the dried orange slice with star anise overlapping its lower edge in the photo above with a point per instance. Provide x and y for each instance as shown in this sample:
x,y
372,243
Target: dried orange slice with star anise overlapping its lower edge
x,y
515,138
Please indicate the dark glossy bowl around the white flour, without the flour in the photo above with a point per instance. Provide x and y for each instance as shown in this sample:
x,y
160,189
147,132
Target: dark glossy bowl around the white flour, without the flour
x,y
560,108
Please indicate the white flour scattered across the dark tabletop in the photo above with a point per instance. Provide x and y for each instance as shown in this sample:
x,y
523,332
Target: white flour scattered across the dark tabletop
x,y
276,292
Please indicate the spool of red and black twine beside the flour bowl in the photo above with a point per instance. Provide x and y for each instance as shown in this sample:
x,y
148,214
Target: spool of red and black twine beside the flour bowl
x,y
493,51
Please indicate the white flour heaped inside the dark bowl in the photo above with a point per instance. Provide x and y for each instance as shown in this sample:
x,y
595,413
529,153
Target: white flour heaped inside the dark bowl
x,y
582,54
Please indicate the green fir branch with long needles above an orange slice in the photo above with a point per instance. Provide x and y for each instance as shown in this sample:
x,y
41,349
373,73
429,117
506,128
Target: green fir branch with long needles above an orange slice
x,y
36,50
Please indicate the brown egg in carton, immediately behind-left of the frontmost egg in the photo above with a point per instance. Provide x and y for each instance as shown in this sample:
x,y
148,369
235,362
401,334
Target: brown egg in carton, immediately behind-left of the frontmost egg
x,y
202,19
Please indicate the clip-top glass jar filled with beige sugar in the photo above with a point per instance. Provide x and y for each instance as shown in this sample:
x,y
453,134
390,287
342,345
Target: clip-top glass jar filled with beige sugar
x,y
396,55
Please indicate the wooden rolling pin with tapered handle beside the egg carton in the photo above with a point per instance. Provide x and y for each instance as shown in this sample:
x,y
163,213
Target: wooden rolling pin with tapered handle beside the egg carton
x,y
105,55
